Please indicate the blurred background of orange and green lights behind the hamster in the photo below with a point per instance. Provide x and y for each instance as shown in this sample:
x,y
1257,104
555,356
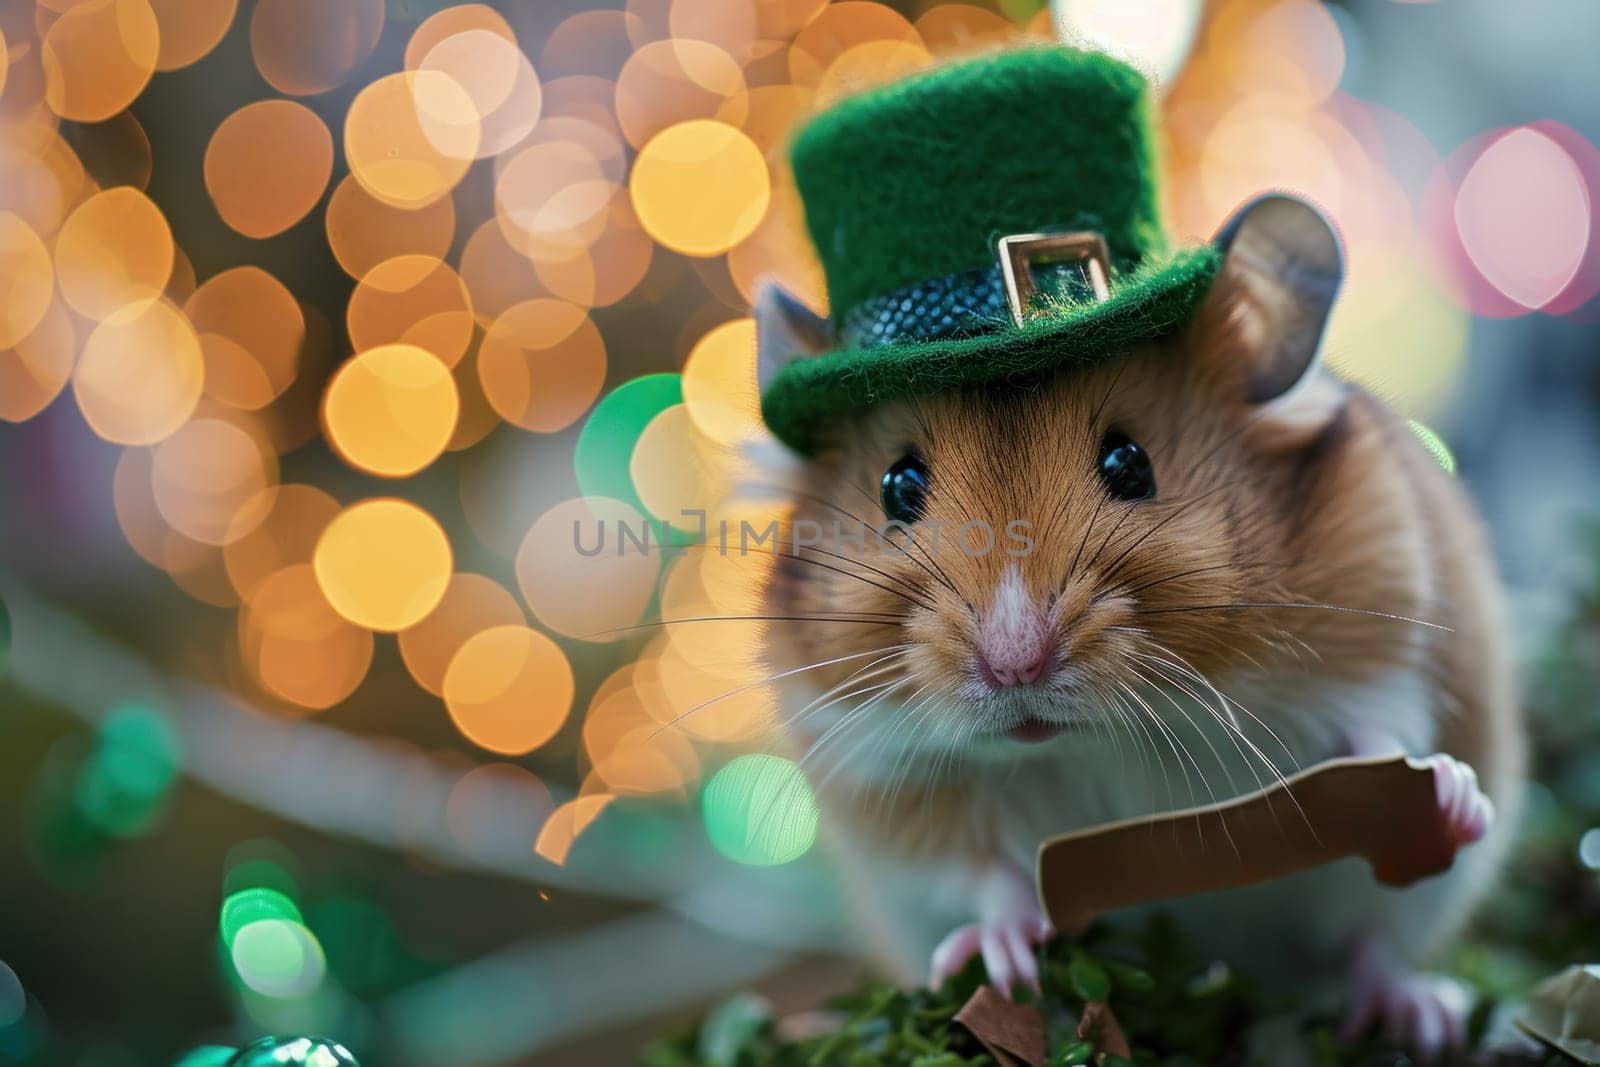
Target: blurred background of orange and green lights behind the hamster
x,y
326,322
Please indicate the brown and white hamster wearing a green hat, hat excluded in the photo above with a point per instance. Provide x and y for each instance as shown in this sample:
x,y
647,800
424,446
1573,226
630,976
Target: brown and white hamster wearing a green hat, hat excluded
x,y
1238,567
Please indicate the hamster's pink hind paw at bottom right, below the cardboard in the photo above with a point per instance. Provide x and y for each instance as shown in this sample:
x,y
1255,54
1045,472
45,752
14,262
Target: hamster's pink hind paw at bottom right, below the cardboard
x,y
1423,1013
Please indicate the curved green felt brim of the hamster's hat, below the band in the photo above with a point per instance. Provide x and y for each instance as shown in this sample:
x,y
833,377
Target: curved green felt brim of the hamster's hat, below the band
x,y
1156,300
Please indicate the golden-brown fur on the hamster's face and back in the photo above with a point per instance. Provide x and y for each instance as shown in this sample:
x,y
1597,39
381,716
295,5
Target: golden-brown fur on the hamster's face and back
x,y
1324,498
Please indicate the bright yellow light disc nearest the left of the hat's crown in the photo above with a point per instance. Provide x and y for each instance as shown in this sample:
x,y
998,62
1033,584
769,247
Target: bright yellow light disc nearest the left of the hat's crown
x,y
700,188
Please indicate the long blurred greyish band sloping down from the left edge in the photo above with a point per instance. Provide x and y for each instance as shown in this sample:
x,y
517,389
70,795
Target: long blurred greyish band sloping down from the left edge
x,y
391,797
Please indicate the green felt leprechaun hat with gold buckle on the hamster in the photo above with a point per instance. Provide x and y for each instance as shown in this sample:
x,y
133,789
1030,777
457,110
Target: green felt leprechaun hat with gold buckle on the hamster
x,y
977,223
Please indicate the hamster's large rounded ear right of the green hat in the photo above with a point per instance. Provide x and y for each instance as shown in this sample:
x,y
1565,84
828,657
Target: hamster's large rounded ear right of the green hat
x,y
1281,271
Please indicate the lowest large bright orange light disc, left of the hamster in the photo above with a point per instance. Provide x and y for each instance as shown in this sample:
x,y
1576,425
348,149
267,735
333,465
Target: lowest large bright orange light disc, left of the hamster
x,y
510,689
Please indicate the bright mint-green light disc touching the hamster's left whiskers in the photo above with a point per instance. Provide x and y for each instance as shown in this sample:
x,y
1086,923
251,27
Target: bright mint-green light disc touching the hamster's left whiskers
x,y
759,812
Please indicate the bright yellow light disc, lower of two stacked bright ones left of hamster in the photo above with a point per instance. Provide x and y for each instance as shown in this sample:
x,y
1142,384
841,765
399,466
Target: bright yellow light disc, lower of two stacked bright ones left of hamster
x,y
383,564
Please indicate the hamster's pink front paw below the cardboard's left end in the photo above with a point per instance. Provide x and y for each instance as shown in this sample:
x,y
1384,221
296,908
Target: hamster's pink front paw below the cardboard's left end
x,y
1010,927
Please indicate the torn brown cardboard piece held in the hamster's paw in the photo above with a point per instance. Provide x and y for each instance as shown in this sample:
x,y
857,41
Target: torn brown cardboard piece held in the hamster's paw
x,y
1382,809
